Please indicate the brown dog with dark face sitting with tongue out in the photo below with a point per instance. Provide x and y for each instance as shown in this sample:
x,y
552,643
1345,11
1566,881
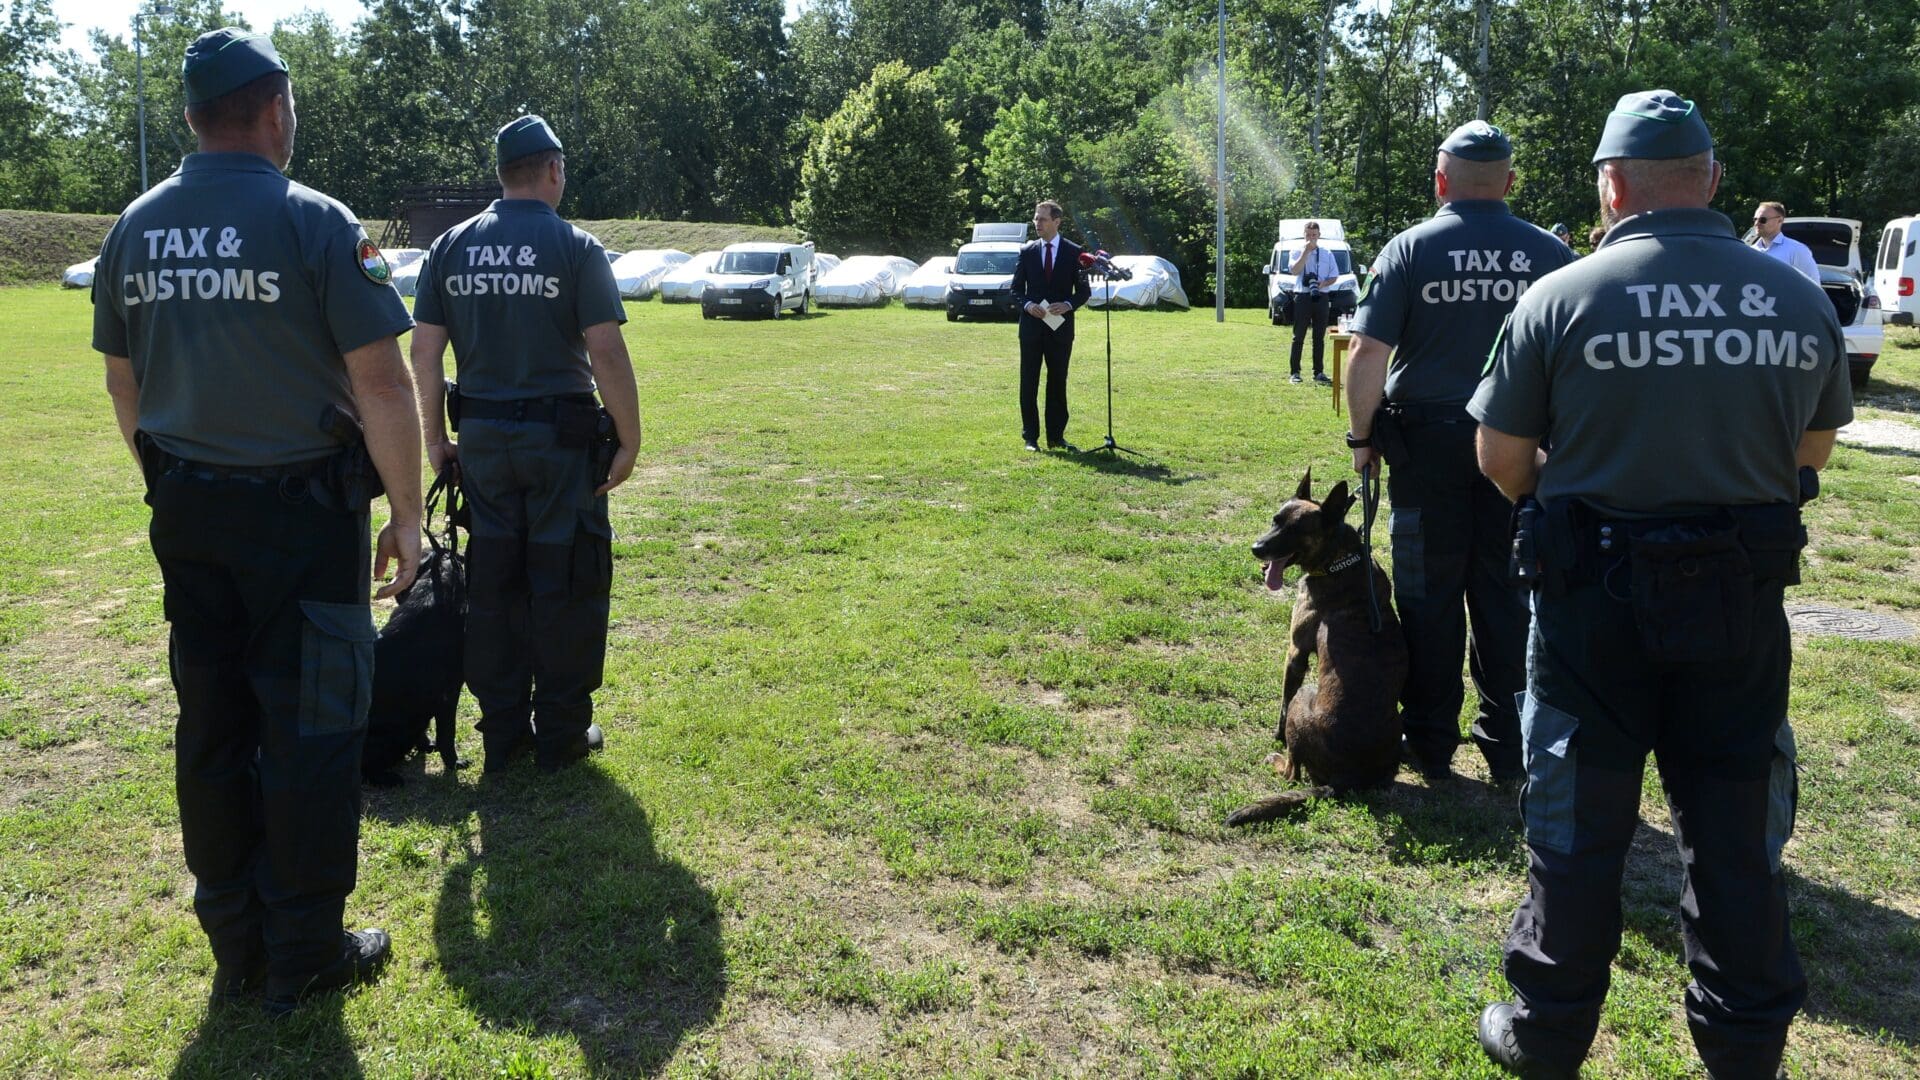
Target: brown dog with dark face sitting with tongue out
x,y
1345,731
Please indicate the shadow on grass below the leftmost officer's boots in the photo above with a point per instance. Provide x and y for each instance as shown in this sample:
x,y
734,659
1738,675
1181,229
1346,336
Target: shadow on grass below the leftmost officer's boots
x,y
239,1041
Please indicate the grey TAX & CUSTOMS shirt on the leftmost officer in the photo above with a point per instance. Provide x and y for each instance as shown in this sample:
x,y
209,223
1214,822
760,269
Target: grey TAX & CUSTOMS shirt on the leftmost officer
x,y
235,293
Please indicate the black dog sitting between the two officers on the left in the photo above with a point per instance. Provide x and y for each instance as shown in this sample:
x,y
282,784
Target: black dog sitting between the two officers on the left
x,y
418,660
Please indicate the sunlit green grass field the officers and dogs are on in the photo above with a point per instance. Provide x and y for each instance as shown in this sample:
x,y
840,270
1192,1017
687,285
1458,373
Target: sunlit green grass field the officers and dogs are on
x,y
919,750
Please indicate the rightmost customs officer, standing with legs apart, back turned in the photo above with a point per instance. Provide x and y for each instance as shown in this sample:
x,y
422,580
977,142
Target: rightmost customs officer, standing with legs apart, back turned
x,y
1689,389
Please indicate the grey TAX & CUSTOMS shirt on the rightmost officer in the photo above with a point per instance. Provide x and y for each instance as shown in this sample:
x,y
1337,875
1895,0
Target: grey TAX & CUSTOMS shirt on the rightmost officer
x,y
1673,372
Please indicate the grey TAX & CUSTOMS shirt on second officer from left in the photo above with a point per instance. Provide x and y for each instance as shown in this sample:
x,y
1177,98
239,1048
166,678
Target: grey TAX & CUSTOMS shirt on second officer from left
x,y
517,287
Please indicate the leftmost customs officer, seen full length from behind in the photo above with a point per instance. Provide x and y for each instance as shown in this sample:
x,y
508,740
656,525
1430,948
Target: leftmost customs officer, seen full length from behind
x,y
251,333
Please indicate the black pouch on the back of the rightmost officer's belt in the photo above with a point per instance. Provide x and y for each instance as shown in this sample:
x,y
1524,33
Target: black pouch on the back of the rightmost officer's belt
x,y
1692,591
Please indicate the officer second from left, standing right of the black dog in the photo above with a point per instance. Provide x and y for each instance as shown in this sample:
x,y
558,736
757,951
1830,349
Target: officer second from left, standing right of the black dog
x,y
533,312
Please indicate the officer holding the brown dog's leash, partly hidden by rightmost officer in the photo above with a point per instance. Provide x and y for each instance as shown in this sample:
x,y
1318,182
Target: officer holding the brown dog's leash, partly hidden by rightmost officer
x,y
1435,303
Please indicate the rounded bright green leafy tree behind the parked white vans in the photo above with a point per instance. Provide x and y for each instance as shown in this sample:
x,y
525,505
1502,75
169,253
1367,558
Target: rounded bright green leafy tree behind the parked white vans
x,y
884,172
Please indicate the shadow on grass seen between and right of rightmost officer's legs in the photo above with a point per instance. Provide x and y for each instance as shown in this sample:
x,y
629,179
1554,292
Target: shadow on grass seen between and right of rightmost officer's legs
x,y
1861,960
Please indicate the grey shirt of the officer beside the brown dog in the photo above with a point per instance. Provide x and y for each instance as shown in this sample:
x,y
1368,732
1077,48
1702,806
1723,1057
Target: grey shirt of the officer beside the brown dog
x,y
1441,291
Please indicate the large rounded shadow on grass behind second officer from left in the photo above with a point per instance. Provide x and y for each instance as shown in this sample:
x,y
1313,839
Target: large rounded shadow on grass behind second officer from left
x,y
564,920
